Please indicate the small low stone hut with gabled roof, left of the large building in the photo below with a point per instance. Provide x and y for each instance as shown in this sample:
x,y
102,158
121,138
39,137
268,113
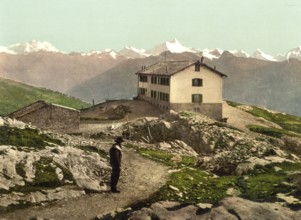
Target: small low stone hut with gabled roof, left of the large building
x,y
49,116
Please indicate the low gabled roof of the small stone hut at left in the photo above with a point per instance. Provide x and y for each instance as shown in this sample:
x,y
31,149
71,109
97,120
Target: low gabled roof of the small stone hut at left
x,y
34,107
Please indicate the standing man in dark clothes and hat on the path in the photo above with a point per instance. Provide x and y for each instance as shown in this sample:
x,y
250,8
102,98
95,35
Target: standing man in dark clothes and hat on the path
x,y
115,161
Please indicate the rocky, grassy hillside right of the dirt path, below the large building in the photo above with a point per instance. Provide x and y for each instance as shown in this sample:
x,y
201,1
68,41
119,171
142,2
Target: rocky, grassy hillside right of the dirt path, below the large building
x,y
229,163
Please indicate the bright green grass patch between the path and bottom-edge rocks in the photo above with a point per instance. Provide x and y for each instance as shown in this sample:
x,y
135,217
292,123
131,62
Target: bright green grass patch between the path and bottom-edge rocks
x,y
194,186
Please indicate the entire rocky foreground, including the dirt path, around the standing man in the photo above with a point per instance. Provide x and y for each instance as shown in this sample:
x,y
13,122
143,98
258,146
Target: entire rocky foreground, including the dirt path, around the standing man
x,y
201,150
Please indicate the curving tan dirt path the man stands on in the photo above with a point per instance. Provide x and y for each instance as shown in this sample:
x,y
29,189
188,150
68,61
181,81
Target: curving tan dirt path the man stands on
x,y
140,178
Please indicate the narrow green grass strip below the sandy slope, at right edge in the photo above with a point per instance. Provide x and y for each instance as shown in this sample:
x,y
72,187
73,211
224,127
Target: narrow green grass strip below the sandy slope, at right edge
x,y
273,132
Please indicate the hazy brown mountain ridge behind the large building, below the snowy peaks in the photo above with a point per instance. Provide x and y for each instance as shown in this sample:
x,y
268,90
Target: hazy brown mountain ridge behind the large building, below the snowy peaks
x,y
100,76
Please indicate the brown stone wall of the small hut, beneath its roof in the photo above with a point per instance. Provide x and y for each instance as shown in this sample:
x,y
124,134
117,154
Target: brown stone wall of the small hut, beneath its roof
x,y
52,117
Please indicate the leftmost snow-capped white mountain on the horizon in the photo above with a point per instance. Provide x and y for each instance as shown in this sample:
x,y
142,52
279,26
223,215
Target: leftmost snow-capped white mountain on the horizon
x,y
29,47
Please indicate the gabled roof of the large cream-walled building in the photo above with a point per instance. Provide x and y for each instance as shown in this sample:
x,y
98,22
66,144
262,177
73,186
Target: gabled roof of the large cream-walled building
x,y
168,68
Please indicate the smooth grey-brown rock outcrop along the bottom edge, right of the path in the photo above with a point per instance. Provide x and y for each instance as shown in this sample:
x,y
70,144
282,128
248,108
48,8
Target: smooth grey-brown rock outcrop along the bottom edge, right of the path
x,y
233,208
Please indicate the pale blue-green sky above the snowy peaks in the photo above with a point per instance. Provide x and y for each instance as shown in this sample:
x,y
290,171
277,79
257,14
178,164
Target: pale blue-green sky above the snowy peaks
x,y
84,25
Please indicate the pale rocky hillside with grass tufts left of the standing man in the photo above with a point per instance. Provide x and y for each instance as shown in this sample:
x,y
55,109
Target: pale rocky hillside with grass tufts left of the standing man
x,y
39,167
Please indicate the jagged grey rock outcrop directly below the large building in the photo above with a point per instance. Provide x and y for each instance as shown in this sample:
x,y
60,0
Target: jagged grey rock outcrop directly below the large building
x,y
222,148
